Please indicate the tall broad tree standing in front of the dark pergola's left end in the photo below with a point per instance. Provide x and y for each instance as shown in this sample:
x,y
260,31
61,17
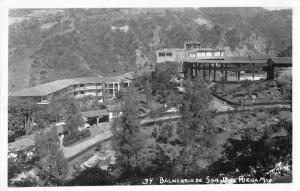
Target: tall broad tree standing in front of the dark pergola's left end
x,y
195,128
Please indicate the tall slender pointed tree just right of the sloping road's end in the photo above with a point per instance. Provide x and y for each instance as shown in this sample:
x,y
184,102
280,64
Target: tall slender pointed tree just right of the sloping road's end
x,y
127,140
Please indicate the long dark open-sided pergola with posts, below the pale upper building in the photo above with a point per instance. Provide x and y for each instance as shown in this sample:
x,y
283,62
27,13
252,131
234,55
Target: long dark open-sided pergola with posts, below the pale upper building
x,y
209,68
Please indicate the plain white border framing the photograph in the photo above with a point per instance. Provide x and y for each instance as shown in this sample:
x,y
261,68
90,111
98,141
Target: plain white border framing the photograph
x,y
5,5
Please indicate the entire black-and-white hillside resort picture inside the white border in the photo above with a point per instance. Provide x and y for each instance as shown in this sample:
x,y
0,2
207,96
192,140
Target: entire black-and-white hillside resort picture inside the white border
x,y
107,96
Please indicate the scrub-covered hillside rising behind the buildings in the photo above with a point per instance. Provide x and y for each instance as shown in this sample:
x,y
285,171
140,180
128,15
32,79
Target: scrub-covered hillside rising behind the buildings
x,y
49,44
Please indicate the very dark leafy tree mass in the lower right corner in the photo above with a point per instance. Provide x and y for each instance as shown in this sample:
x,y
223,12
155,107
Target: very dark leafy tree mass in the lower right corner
x,y
254,156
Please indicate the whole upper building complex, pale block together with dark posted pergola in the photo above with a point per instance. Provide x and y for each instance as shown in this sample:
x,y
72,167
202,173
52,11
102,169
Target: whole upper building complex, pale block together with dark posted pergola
x,y
214,65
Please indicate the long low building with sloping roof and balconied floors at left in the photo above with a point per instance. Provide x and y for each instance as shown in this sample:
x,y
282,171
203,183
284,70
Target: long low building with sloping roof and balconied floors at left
x,y
103,87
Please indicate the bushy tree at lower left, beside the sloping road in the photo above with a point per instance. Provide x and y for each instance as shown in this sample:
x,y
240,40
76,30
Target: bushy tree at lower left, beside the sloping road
x,y
52,166
